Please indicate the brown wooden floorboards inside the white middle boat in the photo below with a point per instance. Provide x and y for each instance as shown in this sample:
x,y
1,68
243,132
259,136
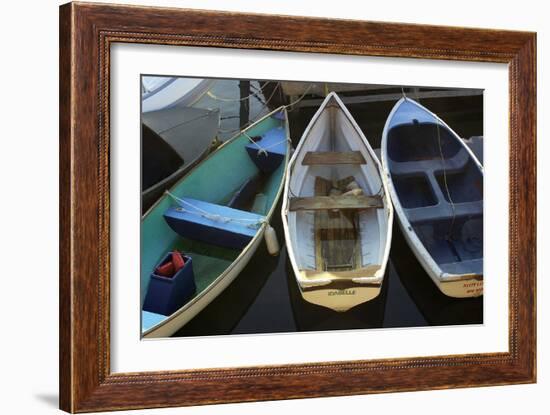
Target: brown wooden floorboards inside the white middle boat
x,y
336,236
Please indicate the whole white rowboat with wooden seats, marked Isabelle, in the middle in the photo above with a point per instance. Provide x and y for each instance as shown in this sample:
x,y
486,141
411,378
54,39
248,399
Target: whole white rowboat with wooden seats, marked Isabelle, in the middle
x,y
324,273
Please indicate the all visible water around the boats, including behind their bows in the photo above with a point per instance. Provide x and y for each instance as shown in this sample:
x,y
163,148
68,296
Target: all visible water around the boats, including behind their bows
x,y
264,298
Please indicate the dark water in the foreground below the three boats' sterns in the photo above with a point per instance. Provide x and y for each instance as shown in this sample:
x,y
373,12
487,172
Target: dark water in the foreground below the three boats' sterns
x,y
265,299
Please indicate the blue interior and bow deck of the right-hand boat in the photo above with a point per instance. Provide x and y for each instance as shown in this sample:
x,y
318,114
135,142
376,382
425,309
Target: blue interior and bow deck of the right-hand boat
x,y
440,188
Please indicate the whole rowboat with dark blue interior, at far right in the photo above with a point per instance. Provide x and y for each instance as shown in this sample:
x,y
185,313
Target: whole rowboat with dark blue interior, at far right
x,y
418,210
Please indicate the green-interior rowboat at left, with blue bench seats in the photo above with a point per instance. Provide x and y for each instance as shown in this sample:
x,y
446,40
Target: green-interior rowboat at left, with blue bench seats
x,y
215,181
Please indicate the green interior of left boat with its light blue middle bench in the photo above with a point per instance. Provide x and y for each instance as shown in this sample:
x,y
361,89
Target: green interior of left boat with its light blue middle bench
x,y
228,184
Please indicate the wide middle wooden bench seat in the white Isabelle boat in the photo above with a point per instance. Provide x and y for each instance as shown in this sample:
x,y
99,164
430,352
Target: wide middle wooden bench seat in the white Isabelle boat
x,y
335,202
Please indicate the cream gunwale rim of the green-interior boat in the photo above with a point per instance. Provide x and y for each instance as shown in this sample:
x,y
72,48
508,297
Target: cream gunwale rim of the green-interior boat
x,y
150,332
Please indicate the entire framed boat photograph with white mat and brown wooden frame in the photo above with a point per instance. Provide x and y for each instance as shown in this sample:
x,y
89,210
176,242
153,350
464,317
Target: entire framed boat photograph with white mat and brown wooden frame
x,y
253,208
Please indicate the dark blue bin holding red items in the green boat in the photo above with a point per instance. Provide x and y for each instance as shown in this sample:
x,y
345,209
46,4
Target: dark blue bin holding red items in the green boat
x,y
165,295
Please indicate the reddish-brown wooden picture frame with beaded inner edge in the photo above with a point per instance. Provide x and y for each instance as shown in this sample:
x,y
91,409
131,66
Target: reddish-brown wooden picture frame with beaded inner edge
x,y
86,33
